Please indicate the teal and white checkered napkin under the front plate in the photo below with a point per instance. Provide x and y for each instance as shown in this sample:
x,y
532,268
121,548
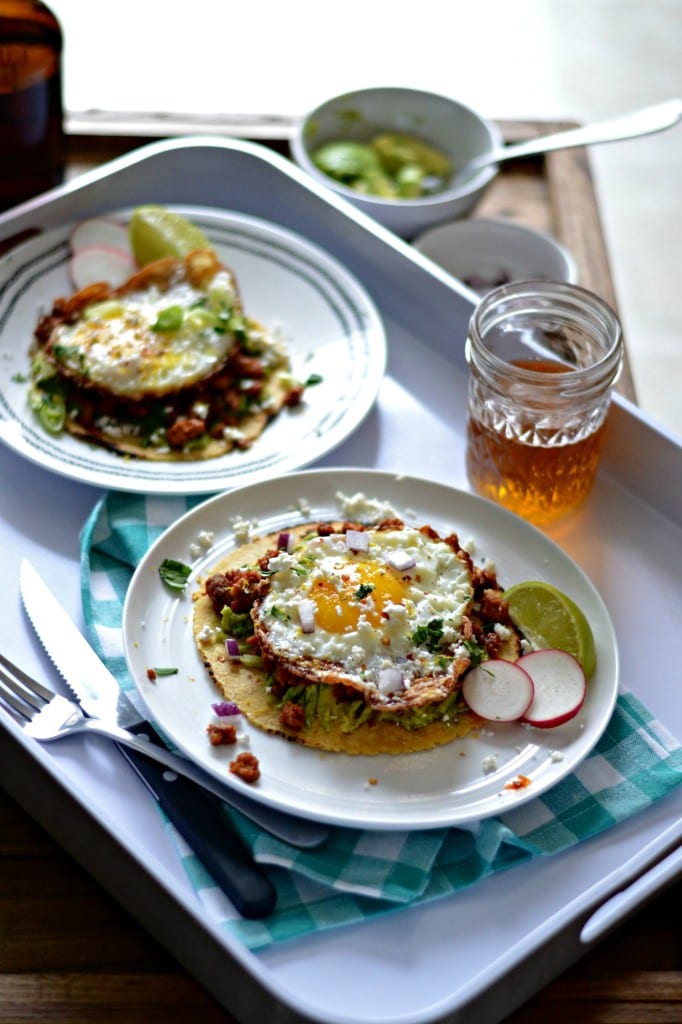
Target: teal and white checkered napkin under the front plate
x,y
359,875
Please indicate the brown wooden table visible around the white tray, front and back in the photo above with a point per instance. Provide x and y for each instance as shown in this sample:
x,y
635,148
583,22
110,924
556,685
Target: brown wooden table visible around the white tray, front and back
x,y
70,955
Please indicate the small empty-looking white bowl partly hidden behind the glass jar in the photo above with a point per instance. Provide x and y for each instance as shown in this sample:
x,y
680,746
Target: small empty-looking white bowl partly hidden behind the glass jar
x,y
485,253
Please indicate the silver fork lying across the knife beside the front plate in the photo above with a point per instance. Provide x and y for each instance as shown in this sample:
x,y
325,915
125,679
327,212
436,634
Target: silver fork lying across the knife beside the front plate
x,y
48,716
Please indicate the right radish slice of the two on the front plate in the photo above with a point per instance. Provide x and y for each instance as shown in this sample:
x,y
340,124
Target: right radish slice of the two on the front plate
x,y
560,688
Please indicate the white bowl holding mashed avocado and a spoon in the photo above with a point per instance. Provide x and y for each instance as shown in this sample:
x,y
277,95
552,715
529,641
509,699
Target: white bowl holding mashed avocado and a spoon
x,y
450,126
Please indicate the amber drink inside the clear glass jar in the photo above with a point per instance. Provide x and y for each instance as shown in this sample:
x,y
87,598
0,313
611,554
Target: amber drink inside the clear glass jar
x,y
542,483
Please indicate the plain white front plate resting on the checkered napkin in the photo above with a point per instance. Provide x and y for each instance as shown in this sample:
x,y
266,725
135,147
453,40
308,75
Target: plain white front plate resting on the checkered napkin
x,y
444,787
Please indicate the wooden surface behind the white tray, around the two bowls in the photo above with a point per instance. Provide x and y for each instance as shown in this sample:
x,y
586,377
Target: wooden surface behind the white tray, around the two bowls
x,y
553,194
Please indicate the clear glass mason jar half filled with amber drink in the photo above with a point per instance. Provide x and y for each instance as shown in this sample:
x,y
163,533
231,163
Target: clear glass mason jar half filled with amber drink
x,y
543,360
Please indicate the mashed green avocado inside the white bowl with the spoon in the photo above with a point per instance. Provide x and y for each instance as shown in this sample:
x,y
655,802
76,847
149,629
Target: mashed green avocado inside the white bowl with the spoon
x,y
392,165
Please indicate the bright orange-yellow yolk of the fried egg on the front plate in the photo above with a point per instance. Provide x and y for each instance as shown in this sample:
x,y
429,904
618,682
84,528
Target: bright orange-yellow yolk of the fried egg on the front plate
x,y
358,590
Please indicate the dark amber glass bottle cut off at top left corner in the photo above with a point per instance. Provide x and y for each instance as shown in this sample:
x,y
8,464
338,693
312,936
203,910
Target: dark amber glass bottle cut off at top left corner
x,y
32,151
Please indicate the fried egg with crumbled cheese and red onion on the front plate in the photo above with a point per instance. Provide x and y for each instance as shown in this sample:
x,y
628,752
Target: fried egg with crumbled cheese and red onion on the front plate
x,y
360,608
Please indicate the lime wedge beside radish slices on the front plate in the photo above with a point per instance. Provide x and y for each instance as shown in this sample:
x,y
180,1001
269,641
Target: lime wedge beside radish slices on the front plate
x,y
549,619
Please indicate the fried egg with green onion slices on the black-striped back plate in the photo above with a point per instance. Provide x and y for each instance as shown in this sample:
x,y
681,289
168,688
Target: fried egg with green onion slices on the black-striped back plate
x,y
152,342
